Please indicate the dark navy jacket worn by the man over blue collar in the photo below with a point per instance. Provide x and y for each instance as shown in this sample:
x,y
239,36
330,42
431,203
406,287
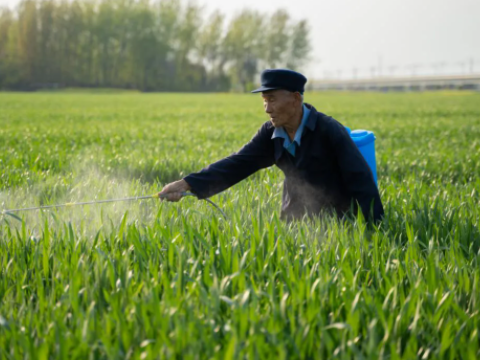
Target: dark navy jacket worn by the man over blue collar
x,y
327,173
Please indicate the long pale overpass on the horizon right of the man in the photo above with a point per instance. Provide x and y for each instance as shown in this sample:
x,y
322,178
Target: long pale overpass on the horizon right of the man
x,y
414,83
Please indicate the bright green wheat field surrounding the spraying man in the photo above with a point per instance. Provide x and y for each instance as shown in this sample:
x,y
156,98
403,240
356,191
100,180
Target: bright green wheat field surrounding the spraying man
x,y
158,280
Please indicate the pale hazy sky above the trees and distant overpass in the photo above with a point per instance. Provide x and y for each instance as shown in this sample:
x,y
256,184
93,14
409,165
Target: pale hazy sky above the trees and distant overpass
x,y
348,34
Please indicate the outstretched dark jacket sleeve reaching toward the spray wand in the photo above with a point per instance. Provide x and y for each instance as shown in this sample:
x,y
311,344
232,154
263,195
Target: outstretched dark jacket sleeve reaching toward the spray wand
x,y
255,155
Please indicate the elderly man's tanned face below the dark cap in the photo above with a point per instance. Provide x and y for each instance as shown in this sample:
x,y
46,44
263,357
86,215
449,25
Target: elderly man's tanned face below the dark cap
x,y
280,105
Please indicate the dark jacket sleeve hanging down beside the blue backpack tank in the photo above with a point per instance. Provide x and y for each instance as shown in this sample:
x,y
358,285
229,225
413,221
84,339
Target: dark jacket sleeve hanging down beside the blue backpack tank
x,y
355,172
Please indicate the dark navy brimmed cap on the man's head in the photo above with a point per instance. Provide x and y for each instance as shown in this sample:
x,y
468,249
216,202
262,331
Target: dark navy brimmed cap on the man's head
x,y
290,80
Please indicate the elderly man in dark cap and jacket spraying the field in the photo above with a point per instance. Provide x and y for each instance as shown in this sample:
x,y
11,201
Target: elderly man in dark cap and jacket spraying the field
x,y
324,170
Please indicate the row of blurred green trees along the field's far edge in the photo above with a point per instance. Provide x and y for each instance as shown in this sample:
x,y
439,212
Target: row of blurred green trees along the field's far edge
x,y
159,45
